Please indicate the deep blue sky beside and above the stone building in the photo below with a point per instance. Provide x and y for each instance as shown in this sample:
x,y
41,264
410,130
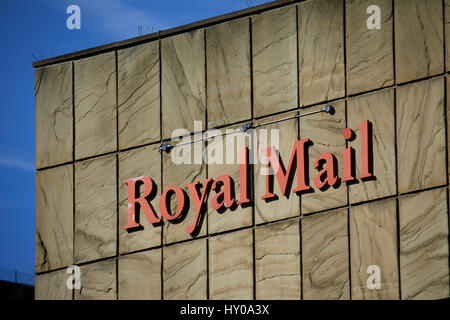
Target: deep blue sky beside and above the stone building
x,y
38,27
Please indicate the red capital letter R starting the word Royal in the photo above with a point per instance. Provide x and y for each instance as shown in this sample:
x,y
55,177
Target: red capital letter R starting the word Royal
x,y
149,212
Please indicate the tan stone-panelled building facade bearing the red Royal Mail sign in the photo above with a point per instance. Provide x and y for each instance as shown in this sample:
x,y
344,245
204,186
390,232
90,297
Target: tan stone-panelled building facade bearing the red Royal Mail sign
x,y
373,224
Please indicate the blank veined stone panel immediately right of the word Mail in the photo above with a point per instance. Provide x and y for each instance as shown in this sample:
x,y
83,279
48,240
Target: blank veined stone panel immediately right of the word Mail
x,y
421,135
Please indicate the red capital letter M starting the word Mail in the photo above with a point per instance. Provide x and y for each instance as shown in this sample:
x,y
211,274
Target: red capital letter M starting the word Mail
x,y
298,153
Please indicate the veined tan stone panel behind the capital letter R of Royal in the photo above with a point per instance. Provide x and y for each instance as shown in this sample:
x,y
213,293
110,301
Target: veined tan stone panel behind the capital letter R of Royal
x,y
136,163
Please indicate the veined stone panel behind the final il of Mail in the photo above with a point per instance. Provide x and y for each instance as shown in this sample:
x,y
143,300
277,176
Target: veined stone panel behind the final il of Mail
x,y
378,108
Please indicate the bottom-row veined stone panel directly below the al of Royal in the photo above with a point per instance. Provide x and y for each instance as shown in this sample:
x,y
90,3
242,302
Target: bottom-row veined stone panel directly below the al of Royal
x,y
231,266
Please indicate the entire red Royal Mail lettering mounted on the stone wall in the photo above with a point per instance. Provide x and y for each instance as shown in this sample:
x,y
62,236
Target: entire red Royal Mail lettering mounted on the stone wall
x,y
326,165
